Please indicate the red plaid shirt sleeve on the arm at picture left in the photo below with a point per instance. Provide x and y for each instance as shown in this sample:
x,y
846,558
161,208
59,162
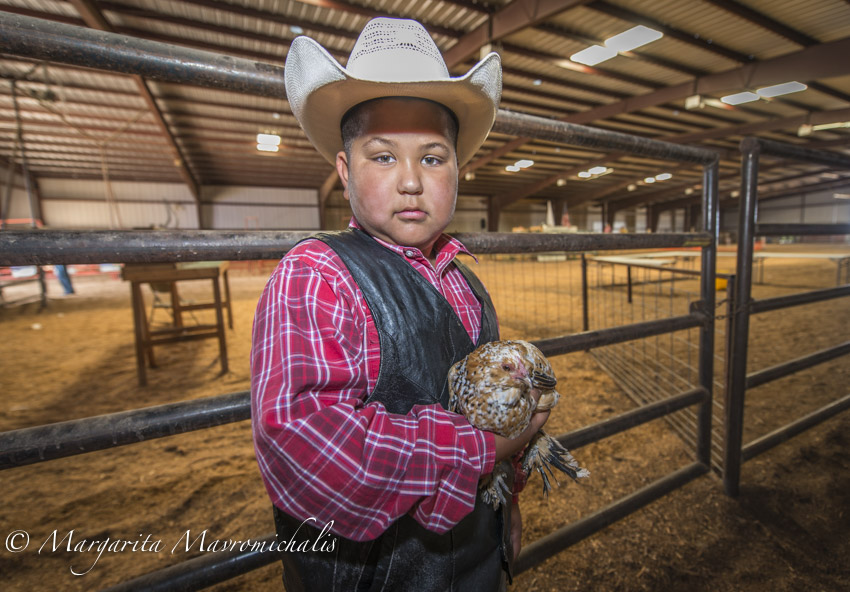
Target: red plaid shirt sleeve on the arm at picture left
x,y
322,453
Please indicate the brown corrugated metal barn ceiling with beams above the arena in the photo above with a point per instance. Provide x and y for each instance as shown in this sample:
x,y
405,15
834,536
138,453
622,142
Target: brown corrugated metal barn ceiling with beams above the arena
x,y
82,123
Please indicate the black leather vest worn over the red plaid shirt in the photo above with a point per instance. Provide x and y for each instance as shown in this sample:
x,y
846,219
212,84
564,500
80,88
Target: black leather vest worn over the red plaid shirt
x,y
421,337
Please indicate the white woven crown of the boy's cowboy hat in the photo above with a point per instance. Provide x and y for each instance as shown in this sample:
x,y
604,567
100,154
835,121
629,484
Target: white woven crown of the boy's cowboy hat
x,y
396,50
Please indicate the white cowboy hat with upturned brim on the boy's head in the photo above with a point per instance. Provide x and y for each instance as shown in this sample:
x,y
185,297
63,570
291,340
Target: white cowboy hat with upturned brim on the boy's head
x,y
391,58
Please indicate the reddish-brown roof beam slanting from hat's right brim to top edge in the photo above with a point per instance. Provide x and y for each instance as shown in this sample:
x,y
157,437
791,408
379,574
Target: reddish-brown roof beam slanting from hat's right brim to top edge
x,y
511,18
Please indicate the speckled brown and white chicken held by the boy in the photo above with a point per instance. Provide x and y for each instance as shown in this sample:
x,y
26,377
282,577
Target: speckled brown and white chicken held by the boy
x,y
492,388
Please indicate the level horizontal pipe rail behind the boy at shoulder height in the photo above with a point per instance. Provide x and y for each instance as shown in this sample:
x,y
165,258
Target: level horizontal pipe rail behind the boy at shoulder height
x,y
47,247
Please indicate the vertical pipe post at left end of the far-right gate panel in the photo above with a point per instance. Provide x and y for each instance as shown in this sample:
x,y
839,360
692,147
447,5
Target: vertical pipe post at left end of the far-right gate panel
x,y
736,386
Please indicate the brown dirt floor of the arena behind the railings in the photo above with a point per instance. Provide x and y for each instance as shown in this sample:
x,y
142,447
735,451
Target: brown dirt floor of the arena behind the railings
x,y
788,530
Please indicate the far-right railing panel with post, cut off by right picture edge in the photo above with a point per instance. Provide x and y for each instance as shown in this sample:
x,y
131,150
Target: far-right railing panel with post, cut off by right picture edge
x,y
739,381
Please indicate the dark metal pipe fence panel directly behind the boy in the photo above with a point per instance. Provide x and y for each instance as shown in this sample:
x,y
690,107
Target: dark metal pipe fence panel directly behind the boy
x,y
45,40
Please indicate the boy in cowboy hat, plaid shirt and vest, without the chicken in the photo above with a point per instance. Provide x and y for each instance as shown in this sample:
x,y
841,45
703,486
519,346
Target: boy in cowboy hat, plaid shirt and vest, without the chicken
x,y
355,333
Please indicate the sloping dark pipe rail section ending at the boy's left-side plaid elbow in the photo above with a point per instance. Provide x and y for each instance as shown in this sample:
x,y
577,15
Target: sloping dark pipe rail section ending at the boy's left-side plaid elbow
x,y
77,436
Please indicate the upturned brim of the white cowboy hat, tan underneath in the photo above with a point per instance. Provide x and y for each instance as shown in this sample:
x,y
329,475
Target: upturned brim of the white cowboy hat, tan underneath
x,y
321,91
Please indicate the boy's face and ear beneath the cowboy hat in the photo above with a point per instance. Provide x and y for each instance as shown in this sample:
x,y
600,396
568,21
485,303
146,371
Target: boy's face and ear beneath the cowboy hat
x,y
401,177
